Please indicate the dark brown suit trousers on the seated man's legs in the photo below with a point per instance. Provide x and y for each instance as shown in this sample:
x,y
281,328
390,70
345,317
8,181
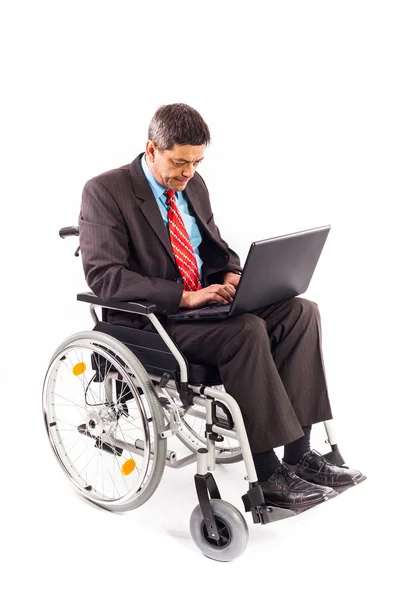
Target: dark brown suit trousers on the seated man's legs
x,y
270,361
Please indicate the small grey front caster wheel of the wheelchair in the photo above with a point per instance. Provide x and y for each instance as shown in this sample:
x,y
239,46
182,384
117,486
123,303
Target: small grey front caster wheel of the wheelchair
x,y
232,529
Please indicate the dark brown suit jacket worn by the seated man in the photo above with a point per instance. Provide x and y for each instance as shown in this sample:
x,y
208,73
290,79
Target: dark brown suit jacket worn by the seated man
x,y
125,246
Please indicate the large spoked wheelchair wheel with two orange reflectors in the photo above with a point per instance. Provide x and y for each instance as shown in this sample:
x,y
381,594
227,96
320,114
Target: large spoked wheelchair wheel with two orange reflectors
x,y
104,432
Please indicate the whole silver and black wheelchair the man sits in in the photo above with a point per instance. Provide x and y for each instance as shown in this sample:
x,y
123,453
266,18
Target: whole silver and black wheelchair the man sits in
x,y
114,395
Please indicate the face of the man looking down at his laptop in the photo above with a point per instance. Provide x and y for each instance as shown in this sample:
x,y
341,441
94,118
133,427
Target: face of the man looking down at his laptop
x,y
174,168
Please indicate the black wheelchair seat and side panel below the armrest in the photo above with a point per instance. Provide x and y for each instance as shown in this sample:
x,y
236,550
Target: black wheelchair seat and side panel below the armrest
x,y
155,356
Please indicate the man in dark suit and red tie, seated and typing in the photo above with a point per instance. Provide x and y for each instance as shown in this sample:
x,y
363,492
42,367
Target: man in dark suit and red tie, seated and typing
x,y
147,232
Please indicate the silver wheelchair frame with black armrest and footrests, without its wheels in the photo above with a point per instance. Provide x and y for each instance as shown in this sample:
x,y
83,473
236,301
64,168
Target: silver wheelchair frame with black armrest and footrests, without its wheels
x,y
210,398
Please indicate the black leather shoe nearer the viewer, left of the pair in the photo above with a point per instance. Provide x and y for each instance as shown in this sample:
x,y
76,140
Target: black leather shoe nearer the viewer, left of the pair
x,y
286,490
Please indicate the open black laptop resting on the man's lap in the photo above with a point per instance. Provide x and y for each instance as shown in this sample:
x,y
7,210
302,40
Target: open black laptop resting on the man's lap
x,y
276,269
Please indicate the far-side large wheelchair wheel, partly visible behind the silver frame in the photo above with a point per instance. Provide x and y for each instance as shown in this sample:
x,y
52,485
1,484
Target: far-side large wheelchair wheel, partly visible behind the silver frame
x,y
192,436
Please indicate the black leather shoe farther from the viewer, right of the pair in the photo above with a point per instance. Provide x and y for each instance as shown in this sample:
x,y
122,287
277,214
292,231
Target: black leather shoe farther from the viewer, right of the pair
x,y
315,468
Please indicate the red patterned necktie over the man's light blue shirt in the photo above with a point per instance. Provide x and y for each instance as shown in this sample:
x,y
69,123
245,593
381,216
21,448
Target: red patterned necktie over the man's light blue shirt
x,y
181,246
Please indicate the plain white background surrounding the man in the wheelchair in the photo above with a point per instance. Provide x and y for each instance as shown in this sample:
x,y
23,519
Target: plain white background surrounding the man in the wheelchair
x,y
302,100
